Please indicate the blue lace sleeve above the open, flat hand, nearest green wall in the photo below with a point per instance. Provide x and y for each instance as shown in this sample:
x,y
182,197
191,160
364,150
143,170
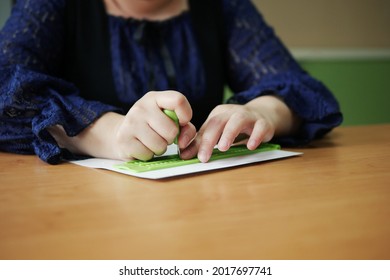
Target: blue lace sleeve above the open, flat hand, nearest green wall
x,y
260,64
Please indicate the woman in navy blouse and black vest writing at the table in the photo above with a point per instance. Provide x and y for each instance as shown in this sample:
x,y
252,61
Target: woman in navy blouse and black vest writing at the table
x,y
75,81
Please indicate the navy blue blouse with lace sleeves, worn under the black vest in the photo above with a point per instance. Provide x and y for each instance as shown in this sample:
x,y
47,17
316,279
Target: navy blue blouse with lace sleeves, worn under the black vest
x,y
34,97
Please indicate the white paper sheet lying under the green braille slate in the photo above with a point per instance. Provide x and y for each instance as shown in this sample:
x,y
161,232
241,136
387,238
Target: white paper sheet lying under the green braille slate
x,y
186,169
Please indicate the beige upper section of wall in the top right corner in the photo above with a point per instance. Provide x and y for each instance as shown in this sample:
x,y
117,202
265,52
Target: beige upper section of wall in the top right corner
x,y
329,23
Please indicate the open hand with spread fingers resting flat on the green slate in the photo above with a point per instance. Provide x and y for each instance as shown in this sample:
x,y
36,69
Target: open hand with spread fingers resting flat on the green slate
x,y
258,120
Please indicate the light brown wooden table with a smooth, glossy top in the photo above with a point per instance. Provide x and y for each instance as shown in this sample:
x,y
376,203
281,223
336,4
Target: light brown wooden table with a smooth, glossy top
x,y
331,203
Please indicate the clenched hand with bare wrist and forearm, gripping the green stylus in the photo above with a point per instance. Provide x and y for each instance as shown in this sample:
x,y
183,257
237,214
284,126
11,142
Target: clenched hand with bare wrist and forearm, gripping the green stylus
x,y
143,132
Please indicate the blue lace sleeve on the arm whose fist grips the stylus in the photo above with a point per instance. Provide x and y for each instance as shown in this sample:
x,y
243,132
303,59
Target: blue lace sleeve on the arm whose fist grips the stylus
x,y
31,97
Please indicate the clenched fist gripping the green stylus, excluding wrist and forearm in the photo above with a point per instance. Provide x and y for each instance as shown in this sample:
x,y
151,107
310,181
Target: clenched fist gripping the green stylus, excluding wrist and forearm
x,y
146,131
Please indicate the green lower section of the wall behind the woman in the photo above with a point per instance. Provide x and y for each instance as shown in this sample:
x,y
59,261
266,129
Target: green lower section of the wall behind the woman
x,y
361,86
